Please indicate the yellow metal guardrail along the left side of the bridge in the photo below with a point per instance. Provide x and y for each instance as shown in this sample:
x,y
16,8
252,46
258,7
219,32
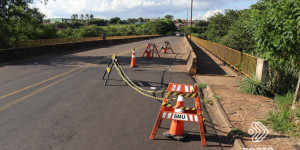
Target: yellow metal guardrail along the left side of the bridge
x,y
42,42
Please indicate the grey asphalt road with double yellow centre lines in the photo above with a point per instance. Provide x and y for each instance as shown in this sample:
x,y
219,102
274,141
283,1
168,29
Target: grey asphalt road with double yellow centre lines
x,y
60,102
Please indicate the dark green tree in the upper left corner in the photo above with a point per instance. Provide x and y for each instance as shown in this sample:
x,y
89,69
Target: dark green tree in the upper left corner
x,y
18,22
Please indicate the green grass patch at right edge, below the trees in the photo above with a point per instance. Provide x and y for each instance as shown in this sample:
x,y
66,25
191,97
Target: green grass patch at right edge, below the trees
x,y
283,120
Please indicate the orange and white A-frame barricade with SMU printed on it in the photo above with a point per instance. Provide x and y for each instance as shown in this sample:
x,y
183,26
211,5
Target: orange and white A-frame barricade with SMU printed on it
x,y
171,113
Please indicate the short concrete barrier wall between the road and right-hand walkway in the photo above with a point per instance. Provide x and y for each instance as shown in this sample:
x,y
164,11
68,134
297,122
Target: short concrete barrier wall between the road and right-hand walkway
x,y
191,57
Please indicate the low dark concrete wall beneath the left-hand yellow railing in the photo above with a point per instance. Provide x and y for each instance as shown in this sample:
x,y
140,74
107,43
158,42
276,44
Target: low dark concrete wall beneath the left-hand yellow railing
x,y
7,55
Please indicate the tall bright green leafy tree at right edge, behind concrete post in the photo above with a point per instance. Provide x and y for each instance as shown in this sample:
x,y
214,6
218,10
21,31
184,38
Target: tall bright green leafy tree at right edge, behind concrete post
x,y
276,30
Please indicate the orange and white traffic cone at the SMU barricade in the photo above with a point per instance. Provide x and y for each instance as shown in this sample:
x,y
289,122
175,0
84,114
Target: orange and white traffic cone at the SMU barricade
x,y
177,127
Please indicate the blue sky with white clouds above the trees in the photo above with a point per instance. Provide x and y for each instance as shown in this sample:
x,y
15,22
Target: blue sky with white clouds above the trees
x,y
202,9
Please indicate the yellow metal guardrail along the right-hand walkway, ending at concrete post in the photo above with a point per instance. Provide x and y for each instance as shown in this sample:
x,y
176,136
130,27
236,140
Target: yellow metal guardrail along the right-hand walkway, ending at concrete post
x,y
236,59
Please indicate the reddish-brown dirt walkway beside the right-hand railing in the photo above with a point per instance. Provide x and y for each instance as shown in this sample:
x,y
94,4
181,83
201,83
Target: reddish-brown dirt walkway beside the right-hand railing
x,y
241,109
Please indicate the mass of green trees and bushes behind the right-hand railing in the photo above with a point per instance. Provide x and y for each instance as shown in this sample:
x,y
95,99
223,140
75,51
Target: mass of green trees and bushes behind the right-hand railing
x,y
269,29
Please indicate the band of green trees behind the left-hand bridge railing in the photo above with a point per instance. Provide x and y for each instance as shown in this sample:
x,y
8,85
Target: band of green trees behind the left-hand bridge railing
x,y
19,22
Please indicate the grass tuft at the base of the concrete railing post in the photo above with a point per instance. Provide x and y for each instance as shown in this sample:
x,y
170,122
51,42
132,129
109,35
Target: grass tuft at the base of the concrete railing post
x,y
252,86
